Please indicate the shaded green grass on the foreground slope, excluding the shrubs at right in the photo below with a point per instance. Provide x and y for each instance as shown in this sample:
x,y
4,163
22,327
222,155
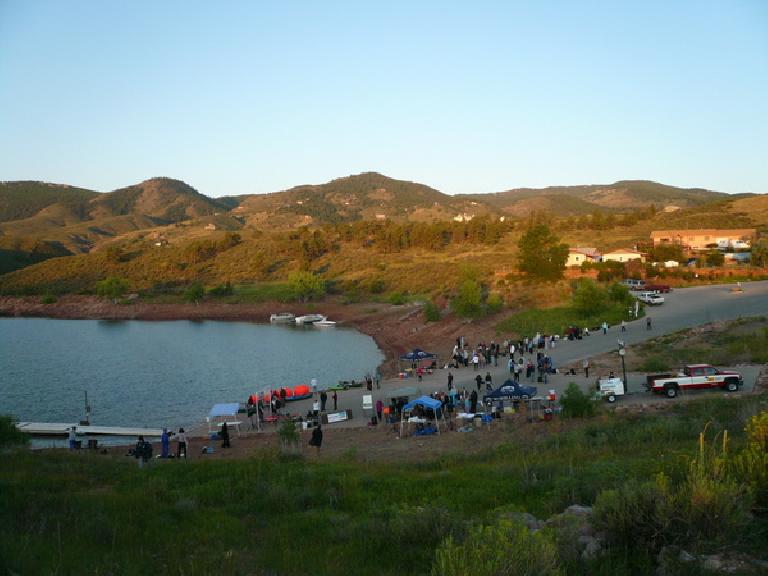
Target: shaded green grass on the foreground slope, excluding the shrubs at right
x,y
83,513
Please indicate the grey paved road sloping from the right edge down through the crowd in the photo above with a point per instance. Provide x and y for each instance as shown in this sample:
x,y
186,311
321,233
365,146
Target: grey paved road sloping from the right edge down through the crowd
x,y
683,308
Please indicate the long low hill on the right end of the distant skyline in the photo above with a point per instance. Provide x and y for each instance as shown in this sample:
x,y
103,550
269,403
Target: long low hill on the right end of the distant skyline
x,y
575,200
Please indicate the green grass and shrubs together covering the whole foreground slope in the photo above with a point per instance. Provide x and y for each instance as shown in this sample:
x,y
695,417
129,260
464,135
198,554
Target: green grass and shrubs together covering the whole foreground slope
x,y
85,513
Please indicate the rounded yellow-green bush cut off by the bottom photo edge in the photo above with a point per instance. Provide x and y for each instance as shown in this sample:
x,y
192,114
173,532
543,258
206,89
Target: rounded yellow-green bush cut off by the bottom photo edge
x,y
504,548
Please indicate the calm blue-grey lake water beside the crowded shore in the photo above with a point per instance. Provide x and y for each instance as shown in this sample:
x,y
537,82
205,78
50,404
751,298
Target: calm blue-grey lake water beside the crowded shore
x,y
163,373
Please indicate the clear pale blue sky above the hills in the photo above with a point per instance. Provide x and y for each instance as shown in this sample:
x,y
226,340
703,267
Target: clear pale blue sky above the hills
x,y
243,97
